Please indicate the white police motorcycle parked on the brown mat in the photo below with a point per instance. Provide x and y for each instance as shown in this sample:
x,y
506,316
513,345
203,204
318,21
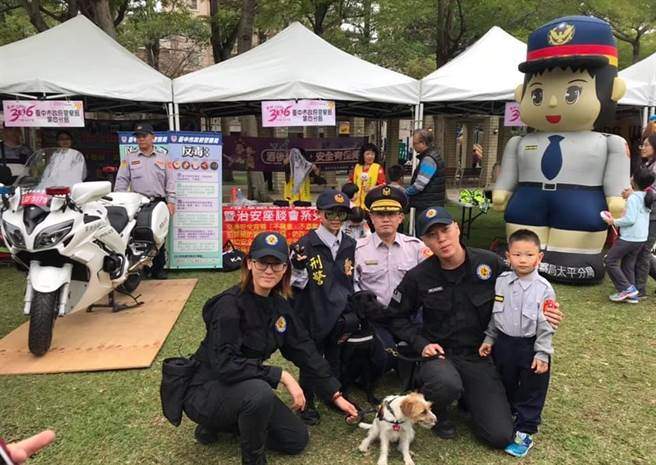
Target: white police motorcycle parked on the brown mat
x,y
76,241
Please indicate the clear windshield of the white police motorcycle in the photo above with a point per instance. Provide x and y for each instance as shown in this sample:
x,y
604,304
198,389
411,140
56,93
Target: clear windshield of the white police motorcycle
x,y
61,167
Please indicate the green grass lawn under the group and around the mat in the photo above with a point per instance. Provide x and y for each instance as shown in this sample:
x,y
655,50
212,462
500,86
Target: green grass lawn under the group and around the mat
x,y
601,407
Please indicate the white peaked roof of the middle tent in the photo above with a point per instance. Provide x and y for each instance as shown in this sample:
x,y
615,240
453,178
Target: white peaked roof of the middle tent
x,y
296,64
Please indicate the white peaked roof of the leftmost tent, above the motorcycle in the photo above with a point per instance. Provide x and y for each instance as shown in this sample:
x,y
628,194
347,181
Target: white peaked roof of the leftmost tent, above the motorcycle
x,y
78,58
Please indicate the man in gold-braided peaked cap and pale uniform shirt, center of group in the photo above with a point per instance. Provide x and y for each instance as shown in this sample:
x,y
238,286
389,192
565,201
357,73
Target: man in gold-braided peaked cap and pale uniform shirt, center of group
x,y
383,259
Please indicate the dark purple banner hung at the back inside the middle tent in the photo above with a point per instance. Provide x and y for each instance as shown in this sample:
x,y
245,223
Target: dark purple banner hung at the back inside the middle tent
x,y
269,154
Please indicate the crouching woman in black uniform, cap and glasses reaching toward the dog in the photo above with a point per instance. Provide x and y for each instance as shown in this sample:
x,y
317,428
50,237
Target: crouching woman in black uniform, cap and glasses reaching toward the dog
x,y
233,388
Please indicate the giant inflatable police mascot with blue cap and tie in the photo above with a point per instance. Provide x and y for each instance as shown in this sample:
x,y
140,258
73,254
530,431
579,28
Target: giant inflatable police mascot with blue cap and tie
x,y
558,179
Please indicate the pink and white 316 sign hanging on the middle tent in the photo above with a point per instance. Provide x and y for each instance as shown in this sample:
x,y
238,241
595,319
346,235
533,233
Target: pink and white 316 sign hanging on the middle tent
x,y
277,113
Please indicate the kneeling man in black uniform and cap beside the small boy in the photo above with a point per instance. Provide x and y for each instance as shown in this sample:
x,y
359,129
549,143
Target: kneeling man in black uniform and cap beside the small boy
x,y
454,289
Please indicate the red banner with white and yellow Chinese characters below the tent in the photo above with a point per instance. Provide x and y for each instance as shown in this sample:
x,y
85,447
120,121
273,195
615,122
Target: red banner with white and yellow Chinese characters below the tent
x,y
242,224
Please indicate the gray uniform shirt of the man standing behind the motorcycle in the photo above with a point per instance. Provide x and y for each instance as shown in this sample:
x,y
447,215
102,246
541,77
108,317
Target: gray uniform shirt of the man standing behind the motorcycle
x,y
150,175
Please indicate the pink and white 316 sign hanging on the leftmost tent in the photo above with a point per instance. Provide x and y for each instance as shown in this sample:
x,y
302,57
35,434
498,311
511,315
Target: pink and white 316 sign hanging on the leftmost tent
x,y
43,113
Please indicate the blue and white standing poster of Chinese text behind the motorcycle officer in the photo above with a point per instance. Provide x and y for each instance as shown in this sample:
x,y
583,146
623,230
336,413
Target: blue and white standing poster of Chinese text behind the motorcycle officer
x,y
195,235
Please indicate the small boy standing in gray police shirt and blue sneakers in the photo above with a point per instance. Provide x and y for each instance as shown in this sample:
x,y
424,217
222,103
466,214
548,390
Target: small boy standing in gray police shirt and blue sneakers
x,y
521,337
